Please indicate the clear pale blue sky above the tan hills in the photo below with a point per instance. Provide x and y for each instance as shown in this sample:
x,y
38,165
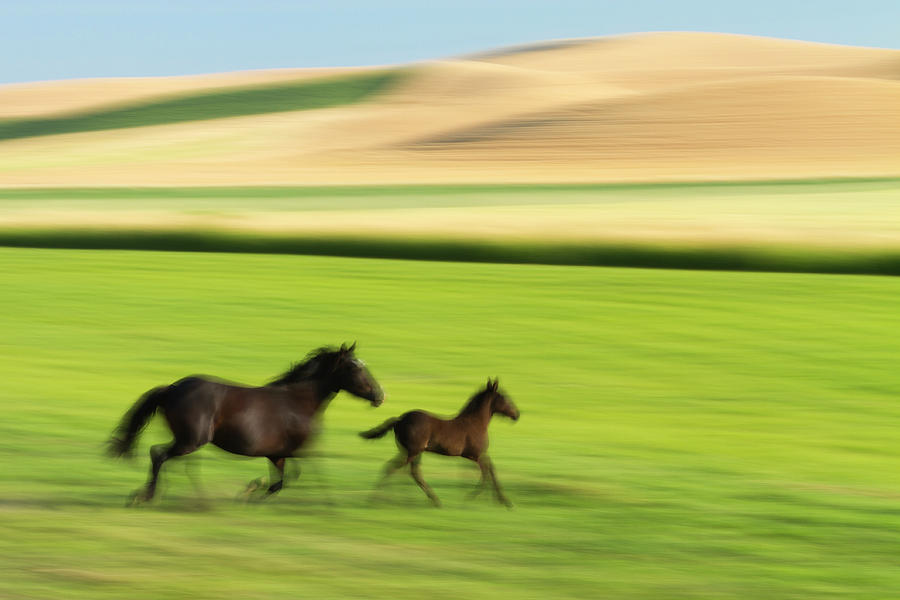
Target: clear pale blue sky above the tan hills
x,y
60,39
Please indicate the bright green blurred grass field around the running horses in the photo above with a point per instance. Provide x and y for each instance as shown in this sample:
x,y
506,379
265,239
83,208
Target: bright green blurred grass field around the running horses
x,y
684,434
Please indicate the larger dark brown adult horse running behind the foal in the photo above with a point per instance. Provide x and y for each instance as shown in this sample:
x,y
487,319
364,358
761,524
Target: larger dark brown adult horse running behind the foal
x,y
274,421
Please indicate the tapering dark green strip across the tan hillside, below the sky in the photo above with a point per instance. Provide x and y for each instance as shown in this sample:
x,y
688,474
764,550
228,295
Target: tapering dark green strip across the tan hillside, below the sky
x,y
305,95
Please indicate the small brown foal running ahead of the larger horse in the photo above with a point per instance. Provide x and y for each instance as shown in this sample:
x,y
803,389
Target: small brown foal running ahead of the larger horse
x,y
465,435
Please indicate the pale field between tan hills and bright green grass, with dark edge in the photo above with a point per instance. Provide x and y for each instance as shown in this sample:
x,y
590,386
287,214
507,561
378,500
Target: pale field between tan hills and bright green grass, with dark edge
x,y
840,226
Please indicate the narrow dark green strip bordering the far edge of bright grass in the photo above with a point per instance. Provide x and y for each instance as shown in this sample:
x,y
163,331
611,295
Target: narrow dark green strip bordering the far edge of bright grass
x,y
660,256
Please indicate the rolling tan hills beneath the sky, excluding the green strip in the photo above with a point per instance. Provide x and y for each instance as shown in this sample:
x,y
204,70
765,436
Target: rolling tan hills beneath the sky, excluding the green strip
x,y
664,106
